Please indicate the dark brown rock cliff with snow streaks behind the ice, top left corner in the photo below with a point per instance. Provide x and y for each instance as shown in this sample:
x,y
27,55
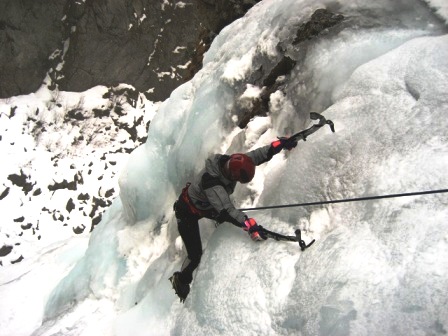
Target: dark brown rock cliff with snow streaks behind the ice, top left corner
x,y
153,45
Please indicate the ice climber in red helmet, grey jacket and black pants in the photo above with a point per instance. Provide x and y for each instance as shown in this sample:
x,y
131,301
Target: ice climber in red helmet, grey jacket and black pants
x,y
208,196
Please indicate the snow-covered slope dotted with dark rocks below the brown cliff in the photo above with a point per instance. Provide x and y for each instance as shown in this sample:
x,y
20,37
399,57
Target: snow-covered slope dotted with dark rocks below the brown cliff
x,y
39,141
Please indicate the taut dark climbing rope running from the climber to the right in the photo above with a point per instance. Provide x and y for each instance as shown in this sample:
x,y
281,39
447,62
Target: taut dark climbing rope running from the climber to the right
x,y
358,199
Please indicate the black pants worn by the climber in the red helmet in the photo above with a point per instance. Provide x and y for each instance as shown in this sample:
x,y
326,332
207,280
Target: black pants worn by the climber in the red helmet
x,y
188,226
